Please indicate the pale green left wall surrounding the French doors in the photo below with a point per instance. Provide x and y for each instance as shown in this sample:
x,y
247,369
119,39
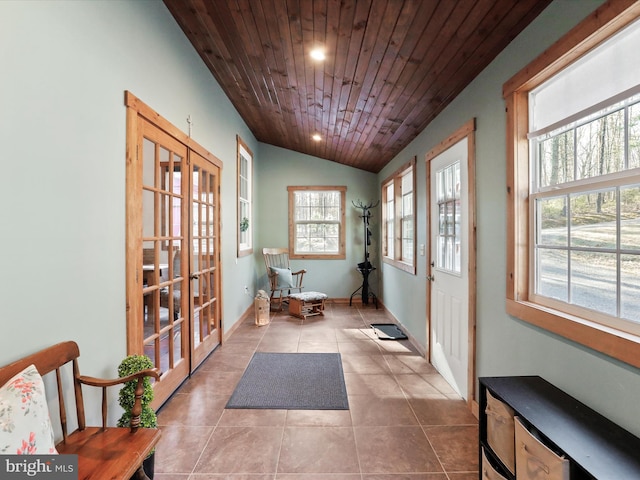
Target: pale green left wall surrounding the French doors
x,y
65,66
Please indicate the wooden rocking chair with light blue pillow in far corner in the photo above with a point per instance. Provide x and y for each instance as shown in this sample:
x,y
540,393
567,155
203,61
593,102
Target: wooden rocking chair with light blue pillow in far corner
x,y
278,270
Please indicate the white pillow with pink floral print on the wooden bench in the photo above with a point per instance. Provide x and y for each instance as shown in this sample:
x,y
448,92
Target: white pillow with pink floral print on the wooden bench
x,y
25,425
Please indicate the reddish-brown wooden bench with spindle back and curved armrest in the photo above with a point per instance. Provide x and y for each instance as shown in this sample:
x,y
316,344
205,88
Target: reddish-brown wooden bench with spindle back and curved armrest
x,y
103,452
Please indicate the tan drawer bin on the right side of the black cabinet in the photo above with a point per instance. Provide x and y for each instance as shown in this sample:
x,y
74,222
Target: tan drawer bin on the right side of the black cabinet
x,y
534,460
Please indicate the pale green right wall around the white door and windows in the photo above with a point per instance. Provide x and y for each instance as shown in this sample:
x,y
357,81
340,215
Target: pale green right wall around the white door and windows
x,y
506,345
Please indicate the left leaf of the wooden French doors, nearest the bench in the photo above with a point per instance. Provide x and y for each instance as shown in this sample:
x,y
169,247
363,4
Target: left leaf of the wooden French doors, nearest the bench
x,y
161,320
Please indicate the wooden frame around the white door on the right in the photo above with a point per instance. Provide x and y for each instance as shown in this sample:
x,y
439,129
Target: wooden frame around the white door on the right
x,y
466,131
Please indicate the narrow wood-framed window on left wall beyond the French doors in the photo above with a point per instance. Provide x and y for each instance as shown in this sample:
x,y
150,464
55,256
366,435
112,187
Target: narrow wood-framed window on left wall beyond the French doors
x,y
245,181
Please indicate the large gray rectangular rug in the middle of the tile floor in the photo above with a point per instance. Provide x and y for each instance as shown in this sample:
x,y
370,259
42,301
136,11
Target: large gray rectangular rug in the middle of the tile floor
x,y
292,381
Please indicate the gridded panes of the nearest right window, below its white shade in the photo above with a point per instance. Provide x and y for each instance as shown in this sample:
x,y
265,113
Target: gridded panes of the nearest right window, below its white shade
x,y
586,216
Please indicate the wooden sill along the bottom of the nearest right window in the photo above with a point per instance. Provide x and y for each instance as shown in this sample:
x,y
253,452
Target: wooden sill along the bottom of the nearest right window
x,y
617,344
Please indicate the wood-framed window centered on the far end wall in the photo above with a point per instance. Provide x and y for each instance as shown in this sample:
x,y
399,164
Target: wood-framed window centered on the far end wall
x,y
317,222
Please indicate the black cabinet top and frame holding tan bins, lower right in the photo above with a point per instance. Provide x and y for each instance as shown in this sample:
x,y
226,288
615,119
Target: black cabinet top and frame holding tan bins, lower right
x,y
596,447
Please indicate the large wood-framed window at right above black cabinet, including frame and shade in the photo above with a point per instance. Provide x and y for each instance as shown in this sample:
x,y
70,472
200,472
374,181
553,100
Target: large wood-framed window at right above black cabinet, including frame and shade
x,y
573,216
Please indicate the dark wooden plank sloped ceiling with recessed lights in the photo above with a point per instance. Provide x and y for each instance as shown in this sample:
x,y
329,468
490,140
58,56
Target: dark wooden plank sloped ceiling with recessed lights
x,y
391,65
